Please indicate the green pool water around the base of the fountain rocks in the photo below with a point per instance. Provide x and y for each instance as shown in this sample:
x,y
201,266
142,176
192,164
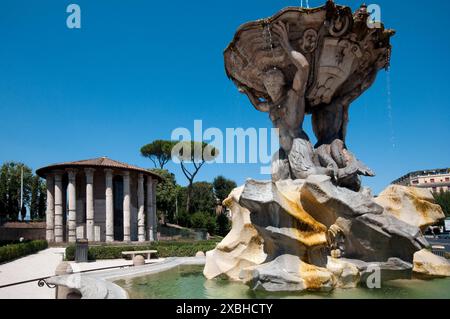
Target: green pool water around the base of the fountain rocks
x,y
188,282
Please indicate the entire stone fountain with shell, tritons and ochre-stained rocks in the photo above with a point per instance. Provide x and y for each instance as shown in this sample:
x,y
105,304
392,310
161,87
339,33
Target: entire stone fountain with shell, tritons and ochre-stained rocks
x,y
313,227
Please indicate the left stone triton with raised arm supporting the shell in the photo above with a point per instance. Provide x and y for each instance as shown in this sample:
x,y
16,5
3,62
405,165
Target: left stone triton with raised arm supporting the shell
x,y
286,108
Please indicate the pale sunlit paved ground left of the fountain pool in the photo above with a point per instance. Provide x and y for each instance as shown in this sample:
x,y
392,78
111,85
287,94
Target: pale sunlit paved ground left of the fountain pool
x,y
42,264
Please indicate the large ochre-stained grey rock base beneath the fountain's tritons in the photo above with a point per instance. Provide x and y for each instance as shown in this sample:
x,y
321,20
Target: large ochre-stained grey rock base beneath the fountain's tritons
x,y
285,234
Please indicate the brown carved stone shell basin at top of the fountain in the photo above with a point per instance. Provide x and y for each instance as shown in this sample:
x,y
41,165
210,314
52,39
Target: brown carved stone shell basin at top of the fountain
x,y
345,57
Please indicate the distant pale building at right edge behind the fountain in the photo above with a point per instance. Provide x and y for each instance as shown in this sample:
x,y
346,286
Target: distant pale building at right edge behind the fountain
x,y
435,180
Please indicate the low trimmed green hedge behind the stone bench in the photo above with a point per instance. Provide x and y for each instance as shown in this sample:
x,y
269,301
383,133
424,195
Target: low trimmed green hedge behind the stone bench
x,y
165,249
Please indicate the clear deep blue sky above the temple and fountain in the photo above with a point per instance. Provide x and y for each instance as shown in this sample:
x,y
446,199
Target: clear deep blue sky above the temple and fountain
x,y
139,69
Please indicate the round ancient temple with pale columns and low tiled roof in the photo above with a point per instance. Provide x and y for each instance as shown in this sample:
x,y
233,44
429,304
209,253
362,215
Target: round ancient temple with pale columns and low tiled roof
x,y
100,199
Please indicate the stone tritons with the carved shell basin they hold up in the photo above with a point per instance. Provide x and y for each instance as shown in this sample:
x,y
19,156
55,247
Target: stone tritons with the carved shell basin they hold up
x,y
314,61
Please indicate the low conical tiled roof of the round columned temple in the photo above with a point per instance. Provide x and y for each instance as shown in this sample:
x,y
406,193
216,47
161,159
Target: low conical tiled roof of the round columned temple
x,y
103,162
